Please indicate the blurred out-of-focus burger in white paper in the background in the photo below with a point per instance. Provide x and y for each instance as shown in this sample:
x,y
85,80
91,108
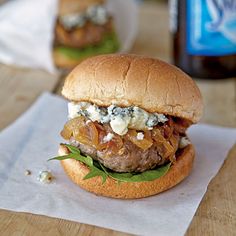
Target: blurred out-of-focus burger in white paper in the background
x,y
83,28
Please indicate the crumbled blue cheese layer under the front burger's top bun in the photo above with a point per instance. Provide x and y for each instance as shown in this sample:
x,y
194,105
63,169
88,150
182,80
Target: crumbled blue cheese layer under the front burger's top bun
x,y
119,118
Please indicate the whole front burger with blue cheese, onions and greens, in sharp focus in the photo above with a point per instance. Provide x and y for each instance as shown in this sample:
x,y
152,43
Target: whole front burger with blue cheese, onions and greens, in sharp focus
x,y
126,132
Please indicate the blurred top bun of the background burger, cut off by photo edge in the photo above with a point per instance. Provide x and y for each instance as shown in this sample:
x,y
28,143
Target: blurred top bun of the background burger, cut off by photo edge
x,y
76,6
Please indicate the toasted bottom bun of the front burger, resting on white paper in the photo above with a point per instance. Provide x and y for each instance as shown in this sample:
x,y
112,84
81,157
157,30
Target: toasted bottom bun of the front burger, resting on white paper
x,y
128,190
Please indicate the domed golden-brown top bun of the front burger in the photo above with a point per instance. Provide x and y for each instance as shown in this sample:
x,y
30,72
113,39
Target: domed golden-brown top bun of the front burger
x,y
126,80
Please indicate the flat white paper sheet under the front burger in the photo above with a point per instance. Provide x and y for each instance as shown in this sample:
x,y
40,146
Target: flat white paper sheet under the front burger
x,y
34,137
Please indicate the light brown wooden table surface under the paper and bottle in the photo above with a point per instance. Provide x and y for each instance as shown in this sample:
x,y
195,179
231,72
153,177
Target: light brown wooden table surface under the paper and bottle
x,y
216,215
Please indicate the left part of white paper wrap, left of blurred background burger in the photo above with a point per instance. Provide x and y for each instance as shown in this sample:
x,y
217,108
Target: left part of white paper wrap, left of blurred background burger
x,y
26,33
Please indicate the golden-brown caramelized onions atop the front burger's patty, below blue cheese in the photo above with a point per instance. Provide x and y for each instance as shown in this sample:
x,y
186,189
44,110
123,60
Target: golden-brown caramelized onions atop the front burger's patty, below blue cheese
x,y
91,133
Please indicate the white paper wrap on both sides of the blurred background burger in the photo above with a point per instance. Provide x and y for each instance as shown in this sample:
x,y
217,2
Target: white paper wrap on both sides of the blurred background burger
x,y
27,30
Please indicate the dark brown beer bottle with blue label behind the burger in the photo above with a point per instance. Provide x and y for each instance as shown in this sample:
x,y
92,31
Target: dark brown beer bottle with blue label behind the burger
x,y
204,37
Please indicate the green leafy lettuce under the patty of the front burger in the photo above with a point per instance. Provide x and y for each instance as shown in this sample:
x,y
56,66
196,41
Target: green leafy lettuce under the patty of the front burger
x,y
97,169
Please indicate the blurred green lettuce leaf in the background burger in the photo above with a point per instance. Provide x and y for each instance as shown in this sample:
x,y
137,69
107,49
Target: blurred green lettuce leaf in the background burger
x,y
109,44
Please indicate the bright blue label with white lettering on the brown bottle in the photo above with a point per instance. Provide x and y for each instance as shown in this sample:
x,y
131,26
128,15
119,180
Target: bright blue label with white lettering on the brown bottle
x,y
211,27
